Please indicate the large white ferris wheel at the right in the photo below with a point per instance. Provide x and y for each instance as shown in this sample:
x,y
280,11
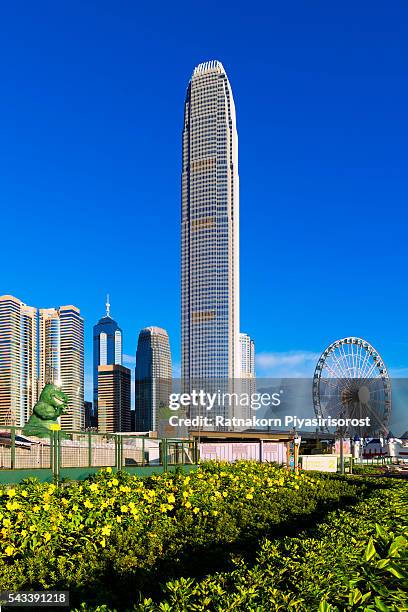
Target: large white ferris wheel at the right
x,y
351,382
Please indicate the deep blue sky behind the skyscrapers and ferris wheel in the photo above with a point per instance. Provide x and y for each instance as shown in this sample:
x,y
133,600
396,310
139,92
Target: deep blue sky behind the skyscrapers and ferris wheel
x,y
91,97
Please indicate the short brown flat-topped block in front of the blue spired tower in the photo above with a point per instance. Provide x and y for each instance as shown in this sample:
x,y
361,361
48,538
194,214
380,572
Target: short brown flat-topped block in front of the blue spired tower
x,y
113,398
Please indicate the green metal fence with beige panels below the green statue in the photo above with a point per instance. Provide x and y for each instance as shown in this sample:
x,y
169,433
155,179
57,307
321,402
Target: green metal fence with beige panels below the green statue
x,y
77,454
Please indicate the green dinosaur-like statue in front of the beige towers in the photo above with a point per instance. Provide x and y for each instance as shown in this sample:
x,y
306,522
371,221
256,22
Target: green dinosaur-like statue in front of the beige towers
x,y
53,402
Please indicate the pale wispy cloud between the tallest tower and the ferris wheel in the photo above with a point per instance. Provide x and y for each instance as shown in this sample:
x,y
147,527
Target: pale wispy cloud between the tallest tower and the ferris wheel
x,y
290,364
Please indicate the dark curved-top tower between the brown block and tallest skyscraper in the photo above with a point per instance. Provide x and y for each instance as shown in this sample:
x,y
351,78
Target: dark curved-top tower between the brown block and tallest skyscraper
x,y
152,378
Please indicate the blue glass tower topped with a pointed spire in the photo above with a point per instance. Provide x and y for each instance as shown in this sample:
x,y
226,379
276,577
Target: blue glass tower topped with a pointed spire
x,y
107,347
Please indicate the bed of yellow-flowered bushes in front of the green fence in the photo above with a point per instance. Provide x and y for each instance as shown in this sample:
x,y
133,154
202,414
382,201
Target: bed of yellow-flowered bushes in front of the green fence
x,y
111,537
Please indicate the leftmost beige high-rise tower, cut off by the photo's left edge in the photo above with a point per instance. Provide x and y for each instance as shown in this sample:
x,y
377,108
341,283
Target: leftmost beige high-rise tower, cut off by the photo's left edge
x,y
18,361
